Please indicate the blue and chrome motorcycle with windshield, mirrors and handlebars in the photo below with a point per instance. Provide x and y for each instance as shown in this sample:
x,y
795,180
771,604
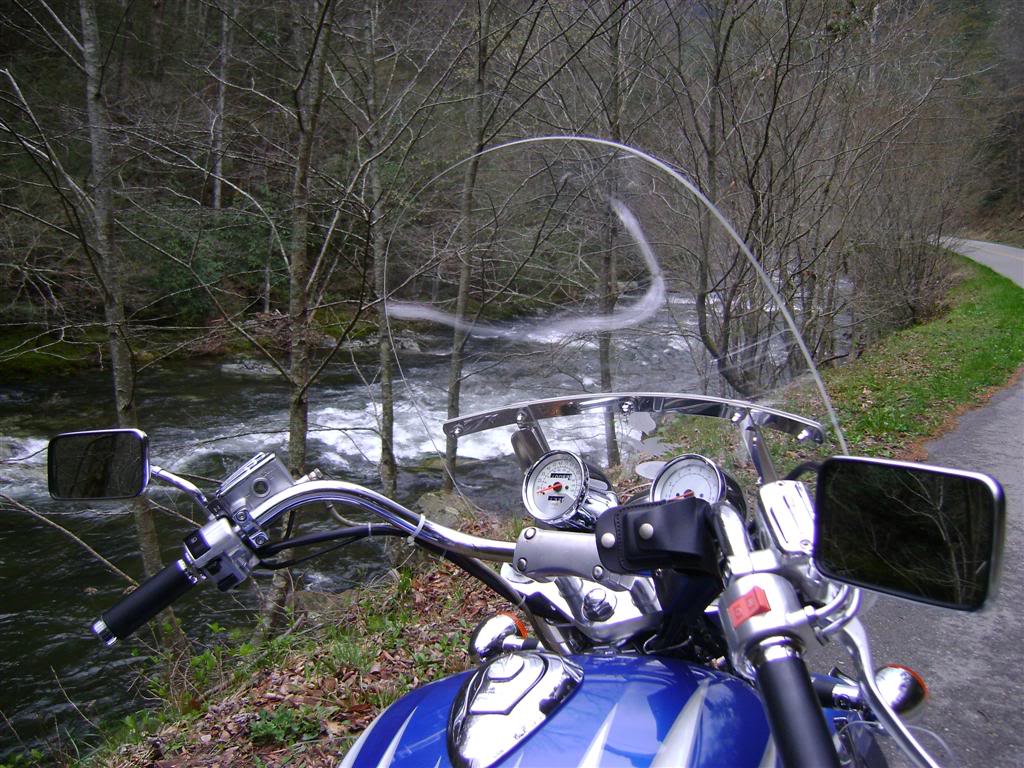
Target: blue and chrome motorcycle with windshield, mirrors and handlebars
x,y
678,563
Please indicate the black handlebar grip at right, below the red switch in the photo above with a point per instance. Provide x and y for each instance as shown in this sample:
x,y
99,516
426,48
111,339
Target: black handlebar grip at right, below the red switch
x,y
798,726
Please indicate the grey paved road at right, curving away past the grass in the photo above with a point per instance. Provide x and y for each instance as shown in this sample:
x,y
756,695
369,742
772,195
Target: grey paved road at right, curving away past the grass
x,y
974,663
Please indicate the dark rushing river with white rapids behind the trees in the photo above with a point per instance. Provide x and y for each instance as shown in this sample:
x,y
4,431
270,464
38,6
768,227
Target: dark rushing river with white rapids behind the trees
x,y
204,418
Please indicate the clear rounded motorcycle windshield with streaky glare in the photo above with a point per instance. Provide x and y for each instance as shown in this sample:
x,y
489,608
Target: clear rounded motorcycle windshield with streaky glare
x,y
565,268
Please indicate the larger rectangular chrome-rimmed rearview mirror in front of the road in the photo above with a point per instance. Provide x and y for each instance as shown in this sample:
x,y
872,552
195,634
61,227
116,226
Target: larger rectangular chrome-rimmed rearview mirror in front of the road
x,y
927,534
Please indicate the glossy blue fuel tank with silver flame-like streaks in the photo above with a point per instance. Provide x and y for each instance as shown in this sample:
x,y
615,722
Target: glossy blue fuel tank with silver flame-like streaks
x,y
625,711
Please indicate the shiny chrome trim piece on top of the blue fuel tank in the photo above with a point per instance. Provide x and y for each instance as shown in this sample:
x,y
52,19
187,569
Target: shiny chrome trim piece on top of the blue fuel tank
x,y
504,702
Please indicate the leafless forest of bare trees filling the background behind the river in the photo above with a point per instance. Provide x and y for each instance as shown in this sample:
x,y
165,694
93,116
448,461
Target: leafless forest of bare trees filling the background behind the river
x,y
242,179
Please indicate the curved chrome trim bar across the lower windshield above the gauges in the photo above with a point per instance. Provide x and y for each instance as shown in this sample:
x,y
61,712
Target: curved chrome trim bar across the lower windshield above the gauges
x,y
524,415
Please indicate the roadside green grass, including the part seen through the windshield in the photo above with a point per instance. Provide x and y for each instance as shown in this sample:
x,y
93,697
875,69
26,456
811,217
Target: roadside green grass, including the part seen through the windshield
x,y
905,389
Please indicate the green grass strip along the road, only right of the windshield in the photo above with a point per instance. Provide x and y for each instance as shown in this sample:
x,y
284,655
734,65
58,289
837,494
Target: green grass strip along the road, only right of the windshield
x,y
910,385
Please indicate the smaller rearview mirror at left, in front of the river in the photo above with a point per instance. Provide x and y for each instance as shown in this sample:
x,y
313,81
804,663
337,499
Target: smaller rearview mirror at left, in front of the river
x,y
100,464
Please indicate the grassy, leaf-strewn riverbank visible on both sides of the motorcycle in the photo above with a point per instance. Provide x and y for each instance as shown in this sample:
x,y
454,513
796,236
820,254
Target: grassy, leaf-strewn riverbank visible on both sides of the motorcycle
x,y
300,699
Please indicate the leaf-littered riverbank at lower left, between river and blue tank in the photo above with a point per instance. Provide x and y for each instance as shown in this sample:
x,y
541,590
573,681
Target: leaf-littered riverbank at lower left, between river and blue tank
x,y
303,697
